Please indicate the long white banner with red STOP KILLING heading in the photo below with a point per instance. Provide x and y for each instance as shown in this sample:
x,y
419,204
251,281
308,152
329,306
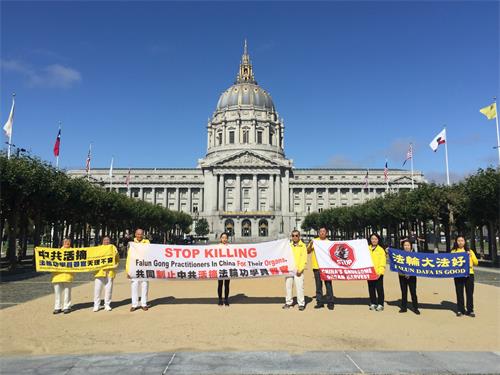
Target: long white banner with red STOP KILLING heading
x,y
202,262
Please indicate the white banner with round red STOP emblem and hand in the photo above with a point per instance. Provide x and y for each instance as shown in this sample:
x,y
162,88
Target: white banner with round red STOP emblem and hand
x,y
344,260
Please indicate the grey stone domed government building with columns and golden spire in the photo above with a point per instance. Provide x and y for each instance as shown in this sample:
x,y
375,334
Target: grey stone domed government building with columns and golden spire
x,y
245,185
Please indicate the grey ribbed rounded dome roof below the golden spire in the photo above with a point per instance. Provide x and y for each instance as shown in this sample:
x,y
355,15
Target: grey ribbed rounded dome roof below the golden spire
x,y
245,94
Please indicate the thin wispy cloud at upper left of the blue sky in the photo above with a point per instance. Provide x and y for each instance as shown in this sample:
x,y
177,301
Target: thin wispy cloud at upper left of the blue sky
x,y
51,76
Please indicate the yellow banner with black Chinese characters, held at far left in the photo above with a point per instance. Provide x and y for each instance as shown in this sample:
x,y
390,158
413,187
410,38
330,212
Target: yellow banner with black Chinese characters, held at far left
x,y
81,259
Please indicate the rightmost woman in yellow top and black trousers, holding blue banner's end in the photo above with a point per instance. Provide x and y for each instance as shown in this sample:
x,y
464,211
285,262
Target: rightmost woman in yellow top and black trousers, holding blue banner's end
x,y
466,283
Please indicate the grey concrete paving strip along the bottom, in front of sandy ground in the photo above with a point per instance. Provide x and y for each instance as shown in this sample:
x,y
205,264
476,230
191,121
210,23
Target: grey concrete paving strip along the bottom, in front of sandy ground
x,y
349,362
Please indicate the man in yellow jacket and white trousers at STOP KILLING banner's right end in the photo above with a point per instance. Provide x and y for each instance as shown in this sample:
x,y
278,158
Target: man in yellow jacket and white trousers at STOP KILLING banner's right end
x,y
299,251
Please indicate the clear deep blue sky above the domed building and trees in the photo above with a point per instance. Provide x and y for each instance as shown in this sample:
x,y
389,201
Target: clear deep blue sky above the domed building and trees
x,y
355,82
